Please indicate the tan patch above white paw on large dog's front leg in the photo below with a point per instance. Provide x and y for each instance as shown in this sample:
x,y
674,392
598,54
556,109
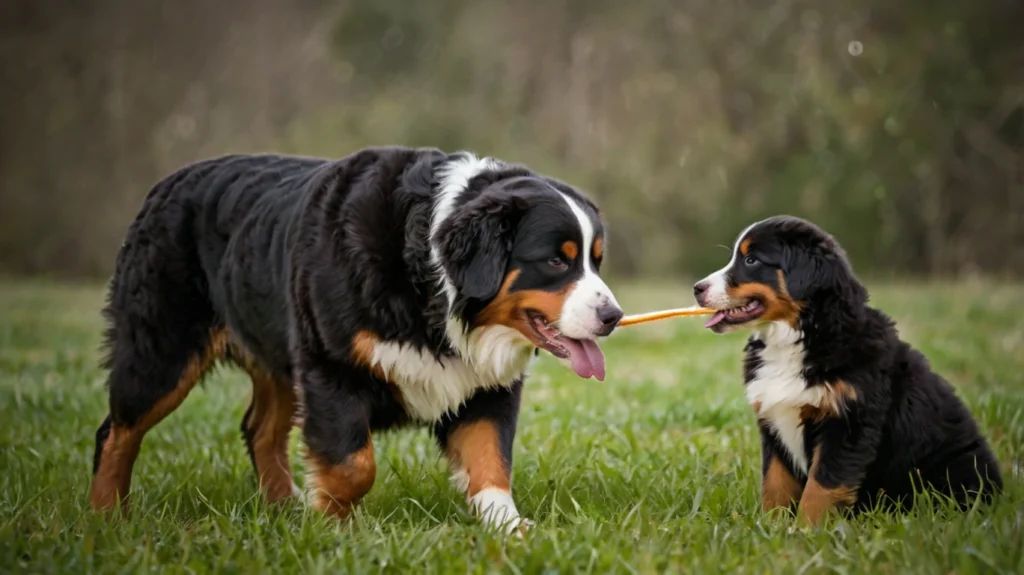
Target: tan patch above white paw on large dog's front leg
x,y
476,449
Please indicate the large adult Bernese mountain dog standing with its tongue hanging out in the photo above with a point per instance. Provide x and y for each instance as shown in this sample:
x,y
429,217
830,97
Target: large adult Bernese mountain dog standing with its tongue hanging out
x,y
394,286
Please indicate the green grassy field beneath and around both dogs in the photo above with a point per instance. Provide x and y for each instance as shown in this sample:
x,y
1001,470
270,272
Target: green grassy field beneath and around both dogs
x,y
655,470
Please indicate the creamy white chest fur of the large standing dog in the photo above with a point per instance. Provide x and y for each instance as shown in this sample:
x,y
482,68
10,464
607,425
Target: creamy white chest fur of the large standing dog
x,y
432,388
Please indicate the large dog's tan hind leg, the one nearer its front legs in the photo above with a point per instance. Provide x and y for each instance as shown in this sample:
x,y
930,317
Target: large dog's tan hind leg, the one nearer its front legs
x,y
266,428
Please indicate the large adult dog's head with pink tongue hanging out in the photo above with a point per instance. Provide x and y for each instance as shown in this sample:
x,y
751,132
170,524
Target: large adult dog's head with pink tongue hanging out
x,y
526,254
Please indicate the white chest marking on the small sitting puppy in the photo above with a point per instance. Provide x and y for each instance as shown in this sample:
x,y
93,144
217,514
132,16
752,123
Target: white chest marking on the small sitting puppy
x,y
780,389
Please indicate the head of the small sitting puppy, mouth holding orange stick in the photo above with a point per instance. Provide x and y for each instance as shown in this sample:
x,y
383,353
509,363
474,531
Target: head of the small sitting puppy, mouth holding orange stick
x,y
779,268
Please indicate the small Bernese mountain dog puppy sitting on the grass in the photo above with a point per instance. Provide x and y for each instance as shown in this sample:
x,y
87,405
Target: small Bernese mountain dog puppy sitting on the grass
x,y
850,416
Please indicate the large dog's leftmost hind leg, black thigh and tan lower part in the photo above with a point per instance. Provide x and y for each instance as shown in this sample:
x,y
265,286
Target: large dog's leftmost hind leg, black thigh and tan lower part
x,y
163,336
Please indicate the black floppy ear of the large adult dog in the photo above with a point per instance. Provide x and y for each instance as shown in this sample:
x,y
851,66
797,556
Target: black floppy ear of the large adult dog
x,y
477,242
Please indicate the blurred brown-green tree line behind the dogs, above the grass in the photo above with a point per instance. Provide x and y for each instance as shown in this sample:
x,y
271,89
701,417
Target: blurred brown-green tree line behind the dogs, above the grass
x,y
899,126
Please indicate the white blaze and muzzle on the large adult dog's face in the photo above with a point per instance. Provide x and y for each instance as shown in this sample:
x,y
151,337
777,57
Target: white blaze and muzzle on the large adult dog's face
x,y
579,318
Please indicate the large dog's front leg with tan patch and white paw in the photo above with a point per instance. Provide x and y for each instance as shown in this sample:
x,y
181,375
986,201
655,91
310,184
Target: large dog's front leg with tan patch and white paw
x,y
478,443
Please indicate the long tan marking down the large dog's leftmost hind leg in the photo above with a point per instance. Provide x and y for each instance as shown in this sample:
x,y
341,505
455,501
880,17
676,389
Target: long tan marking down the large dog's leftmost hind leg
x,y
113,479
